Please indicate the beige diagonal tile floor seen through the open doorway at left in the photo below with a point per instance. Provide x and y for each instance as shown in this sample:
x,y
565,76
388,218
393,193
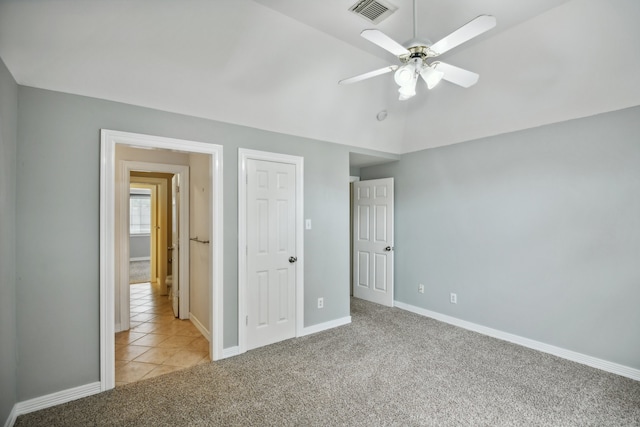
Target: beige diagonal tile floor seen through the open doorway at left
x,y
157,342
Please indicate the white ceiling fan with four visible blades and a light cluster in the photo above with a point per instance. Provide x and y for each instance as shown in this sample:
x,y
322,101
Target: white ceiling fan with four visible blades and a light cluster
x,y
414,57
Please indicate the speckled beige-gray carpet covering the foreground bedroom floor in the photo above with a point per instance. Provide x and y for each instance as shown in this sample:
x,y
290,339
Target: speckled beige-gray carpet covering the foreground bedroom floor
x,y
389,367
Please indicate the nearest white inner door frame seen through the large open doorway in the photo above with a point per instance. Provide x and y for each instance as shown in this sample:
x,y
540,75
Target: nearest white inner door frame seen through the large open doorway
x,y
126,167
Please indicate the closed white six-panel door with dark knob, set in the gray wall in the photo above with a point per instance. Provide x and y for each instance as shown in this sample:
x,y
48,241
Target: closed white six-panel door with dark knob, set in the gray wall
x,y
271,252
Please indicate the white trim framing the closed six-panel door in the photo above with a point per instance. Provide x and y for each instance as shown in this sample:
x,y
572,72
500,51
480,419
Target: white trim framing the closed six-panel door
x,y
298,162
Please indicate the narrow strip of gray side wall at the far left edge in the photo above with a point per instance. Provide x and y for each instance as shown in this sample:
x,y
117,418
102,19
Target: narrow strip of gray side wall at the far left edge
x,y
8,142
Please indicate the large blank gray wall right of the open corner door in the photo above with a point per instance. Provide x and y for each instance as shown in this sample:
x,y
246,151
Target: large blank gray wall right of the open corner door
x,y
537,231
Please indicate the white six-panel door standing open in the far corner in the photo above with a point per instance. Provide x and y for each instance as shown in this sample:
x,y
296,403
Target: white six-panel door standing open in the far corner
x,y
373,241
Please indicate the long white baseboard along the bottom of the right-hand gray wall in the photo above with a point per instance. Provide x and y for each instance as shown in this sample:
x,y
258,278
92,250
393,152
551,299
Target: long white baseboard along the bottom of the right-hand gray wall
x,y
584,359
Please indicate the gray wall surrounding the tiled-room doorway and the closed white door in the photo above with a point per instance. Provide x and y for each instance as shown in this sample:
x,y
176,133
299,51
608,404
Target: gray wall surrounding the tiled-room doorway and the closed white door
x,y
58,305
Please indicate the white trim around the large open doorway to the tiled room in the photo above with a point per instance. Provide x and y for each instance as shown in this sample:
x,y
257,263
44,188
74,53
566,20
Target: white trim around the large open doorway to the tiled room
x,y
109,139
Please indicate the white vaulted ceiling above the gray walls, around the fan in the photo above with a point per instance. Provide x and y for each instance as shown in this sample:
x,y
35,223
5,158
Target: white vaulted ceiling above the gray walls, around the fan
x,y
275,64
